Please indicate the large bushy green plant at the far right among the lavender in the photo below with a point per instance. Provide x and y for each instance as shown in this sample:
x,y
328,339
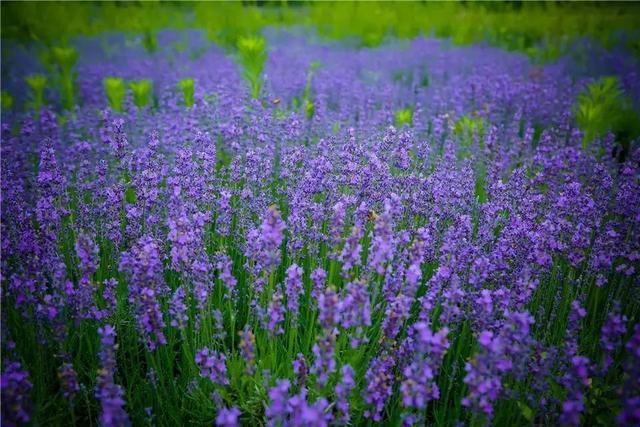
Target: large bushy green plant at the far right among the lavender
x,y
602,107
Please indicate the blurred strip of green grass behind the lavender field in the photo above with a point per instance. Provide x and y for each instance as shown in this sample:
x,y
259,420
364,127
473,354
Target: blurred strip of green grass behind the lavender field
x,y
542,30
